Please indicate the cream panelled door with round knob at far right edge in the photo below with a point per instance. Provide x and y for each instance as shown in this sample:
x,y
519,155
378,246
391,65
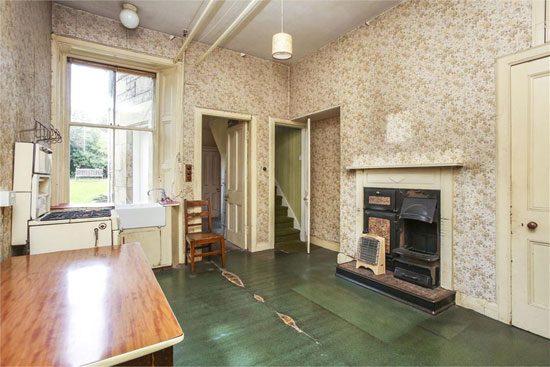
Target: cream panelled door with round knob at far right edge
x,y
530,131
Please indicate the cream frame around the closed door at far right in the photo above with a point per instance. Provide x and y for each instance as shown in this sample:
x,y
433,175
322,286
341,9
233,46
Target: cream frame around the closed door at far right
x,y
504,66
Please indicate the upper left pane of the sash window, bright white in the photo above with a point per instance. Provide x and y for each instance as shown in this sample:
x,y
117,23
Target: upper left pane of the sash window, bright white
x,y
92,96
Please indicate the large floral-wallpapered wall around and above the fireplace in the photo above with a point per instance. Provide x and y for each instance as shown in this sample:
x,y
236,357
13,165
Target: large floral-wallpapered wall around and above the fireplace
x,y
418,86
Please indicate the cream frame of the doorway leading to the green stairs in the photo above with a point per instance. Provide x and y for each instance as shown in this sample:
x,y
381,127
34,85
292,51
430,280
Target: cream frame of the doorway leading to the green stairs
x,y
273,121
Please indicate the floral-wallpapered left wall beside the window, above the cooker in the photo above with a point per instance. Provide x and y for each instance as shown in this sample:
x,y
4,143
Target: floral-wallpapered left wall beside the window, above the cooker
x,y
25,58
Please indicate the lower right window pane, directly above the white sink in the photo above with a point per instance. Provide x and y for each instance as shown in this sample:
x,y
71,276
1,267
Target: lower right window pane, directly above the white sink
x,y
133,166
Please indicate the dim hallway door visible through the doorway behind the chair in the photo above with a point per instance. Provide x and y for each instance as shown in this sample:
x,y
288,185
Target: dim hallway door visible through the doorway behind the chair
x,y
211,178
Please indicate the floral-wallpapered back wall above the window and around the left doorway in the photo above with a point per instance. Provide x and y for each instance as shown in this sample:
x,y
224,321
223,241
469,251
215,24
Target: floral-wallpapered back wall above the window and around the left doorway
x,y
224,81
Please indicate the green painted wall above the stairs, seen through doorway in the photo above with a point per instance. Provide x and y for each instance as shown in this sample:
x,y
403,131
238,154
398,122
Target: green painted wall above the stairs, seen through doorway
x,y
288,166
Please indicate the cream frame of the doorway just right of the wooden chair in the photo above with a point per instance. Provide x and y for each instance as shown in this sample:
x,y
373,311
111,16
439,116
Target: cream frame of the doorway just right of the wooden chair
x,y
251,243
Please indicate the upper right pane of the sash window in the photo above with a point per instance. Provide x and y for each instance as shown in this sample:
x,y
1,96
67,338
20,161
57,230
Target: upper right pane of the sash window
x,y
134,100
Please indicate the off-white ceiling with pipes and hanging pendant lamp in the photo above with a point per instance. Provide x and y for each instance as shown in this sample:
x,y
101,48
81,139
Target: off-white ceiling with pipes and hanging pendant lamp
x,y
312,23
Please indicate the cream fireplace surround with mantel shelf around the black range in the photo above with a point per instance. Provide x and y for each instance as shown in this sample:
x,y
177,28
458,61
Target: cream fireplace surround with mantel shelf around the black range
x,y
434,177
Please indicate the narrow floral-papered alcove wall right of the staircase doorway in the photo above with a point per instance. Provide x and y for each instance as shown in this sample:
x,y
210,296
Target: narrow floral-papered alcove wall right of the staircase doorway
x,y
325,179
